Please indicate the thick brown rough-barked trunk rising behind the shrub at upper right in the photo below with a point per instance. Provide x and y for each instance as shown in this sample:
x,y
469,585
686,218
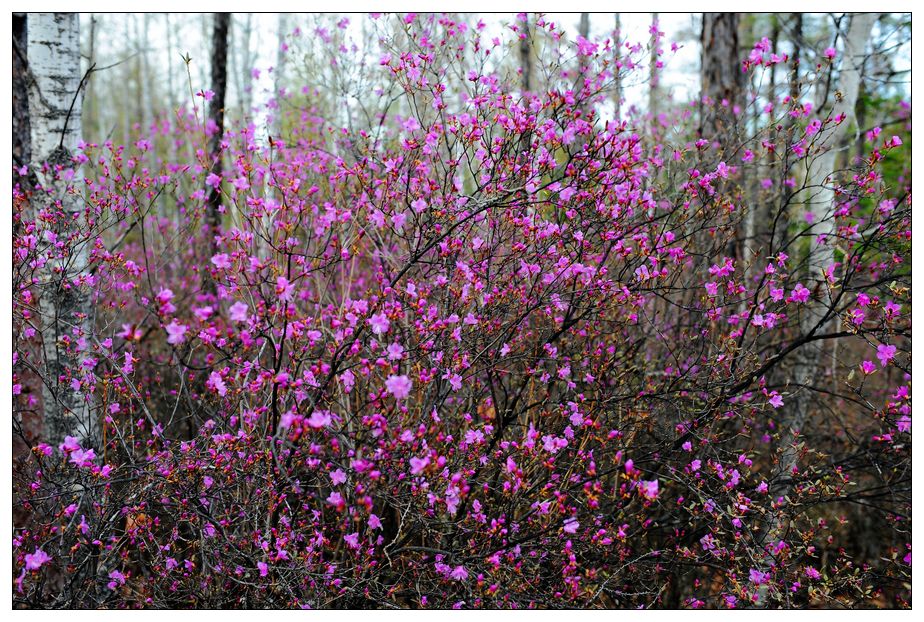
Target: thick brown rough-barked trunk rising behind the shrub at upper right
x,y
721,77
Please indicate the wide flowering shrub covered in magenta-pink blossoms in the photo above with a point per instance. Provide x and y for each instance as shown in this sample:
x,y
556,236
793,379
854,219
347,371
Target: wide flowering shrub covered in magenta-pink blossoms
x,y
488,351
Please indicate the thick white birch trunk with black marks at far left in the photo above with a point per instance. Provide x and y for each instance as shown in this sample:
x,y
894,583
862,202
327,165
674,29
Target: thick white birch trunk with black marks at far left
x,y
65,302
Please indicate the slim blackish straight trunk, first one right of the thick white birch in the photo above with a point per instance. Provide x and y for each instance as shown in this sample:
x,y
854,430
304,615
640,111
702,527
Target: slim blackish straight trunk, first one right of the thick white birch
x,y
222,22
